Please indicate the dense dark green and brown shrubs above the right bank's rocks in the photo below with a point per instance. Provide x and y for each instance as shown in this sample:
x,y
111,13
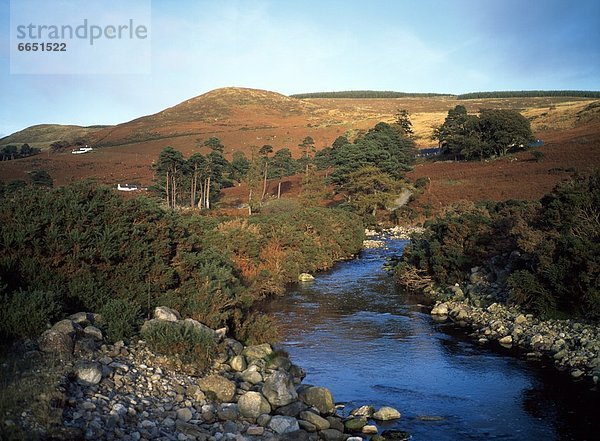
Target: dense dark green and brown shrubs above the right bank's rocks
x,y
545,254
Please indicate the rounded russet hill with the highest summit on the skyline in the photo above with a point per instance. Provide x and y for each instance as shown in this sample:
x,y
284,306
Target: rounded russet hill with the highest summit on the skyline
x,y
240,117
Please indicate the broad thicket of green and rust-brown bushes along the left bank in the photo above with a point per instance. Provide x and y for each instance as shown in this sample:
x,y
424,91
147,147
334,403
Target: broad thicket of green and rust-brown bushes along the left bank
x,y
83,247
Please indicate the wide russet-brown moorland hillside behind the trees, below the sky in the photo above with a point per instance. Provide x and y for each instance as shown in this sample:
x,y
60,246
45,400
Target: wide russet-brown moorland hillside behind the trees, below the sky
x,y
243,118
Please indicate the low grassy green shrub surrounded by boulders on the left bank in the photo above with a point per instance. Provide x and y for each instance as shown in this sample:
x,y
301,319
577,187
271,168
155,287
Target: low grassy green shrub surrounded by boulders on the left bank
x,y
183,339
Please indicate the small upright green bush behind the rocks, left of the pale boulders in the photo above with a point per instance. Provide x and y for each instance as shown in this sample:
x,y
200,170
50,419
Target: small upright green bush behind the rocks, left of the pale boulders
x,y
121,319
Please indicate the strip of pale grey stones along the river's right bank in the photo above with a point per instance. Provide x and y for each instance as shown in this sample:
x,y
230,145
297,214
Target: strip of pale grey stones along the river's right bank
x,y
571,345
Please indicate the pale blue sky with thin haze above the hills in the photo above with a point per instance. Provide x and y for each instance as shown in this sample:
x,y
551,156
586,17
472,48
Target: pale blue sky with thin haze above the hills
x,y
289,46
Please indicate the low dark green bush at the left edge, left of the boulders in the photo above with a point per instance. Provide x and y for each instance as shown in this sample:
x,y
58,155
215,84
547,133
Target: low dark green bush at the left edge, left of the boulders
x,y
27,313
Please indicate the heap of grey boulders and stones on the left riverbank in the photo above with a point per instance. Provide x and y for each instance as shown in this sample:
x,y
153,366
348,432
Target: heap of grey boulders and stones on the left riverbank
x,y
128,392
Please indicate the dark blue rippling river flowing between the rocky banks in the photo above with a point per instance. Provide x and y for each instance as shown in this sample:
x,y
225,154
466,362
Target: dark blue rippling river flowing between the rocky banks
x,y
369,343
